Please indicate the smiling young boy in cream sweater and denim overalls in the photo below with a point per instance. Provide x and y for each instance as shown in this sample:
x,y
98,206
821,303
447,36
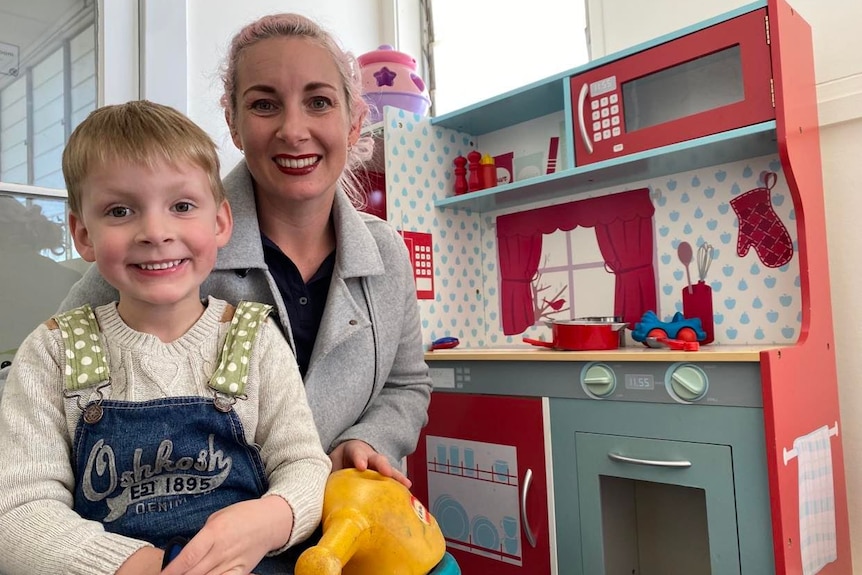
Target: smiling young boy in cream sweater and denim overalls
x,y
158,415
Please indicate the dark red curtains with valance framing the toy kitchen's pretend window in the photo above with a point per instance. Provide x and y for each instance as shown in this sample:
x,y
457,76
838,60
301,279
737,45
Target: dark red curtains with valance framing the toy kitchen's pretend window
x,y
623,224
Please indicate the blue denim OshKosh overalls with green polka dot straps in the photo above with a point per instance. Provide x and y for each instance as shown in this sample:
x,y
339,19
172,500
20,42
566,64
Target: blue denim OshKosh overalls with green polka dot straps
x,y
155,469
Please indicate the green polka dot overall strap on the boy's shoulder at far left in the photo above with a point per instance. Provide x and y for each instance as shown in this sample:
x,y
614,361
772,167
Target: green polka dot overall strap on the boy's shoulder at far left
x,y
86,362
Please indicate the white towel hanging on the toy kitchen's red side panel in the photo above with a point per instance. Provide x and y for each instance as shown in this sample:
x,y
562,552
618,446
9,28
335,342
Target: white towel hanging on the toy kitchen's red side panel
x,y
816,500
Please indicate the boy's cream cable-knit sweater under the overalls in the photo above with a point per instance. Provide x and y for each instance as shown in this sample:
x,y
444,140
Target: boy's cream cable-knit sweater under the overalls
x,y
39,532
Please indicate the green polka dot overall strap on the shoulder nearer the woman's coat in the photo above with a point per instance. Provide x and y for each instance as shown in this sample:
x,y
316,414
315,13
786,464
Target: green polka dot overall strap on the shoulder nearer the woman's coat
x,y
231,374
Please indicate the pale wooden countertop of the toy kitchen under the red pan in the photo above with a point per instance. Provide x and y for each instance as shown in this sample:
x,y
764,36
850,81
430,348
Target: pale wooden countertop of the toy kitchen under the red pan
x,y
709,353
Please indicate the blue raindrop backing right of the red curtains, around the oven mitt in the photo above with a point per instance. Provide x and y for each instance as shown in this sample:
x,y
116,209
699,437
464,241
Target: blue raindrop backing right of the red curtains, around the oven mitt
x,y
752,303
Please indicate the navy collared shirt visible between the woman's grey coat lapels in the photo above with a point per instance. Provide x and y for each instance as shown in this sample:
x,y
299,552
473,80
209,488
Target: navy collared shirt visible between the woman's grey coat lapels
x,y
305,302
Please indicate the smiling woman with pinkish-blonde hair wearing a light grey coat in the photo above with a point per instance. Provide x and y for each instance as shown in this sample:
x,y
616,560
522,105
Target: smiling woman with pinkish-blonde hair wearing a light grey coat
x,y
340,280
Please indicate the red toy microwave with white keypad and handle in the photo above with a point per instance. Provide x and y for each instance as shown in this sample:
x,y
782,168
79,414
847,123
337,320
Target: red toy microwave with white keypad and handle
x,y
709,81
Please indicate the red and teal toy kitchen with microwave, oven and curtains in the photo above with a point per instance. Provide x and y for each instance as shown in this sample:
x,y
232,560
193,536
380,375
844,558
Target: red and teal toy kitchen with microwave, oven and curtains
x,y
675,190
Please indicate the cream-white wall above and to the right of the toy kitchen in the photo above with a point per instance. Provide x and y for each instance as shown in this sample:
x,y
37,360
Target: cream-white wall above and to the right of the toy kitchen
x,y
618,24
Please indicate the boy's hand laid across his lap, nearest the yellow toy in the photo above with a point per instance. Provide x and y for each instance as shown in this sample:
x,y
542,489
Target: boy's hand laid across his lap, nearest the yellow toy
x,y
235,539
